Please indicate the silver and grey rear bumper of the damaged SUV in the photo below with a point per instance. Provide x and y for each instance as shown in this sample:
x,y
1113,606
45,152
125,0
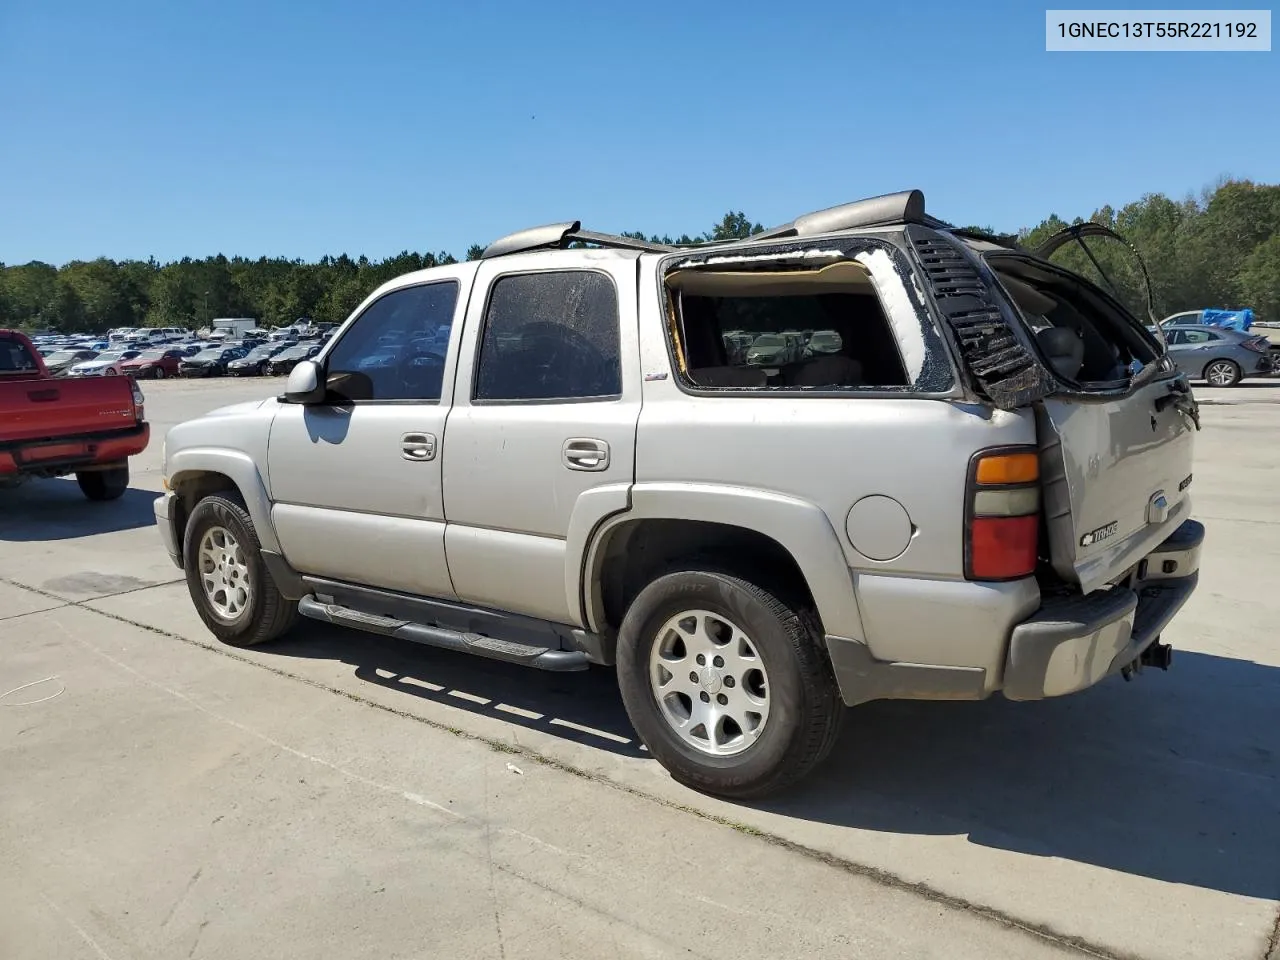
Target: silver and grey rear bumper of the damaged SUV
x,y
1073,643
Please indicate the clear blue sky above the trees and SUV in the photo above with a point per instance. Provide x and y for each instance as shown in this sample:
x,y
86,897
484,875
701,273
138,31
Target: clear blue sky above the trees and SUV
x,y
132,130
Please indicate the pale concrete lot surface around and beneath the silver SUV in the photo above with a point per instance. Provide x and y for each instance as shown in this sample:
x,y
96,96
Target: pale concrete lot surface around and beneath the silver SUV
x,y
344,796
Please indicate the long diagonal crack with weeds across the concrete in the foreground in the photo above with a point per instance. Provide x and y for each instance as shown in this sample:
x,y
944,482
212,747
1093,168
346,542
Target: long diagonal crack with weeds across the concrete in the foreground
x,y
876,875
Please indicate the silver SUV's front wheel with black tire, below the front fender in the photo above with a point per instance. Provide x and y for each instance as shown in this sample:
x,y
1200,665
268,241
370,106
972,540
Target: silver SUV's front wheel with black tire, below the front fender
x,y
231,587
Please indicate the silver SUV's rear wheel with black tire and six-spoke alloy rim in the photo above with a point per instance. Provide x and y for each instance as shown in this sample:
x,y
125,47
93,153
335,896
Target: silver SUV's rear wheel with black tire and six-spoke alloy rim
x,y
728,684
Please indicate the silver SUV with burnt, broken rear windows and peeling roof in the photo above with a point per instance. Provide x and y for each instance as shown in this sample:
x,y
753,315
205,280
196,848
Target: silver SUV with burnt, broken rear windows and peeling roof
x,y
552,458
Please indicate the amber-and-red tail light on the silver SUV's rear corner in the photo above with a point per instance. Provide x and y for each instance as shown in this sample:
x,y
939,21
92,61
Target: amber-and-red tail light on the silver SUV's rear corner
x,y
1003,515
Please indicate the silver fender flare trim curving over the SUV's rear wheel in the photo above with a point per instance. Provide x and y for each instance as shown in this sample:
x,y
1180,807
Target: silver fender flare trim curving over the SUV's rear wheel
x,y
799,527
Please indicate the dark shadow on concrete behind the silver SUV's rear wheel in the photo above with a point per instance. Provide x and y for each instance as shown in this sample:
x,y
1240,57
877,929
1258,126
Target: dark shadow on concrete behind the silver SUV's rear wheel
x,y
1176,776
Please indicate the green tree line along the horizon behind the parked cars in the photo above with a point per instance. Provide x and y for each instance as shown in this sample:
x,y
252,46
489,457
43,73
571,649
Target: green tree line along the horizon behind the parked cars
x,y
1218,250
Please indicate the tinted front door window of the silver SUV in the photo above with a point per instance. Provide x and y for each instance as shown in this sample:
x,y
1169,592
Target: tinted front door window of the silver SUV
x,y
396,349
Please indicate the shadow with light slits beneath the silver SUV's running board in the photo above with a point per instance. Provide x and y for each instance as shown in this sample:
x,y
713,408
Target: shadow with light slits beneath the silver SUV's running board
x,y
583,707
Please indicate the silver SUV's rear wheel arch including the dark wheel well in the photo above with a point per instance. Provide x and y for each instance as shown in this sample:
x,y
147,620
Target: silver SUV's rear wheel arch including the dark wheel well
x,y
747,532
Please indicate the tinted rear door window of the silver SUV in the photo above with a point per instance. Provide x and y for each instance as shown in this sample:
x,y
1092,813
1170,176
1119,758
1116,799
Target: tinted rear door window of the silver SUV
x,y
551,336
